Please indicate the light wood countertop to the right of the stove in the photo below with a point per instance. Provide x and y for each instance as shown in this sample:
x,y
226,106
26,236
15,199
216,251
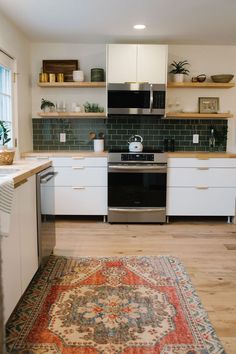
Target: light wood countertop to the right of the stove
x,y
202,154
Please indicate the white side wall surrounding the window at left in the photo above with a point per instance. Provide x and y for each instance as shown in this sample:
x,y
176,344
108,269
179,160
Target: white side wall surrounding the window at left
x,y
17,45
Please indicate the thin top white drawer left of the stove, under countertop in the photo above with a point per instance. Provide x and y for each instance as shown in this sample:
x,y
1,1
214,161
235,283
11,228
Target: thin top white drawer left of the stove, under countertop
x,y
79,161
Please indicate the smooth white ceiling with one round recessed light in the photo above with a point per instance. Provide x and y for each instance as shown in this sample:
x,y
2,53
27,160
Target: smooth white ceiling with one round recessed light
x,y
111,21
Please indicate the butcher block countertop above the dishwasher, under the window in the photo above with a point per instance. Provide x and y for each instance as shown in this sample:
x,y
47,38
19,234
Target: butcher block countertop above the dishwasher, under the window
x,y
25,169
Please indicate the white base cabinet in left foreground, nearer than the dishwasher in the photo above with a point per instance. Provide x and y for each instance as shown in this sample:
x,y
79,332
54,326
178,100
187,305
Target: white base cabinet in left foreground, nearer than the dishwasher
x,y
19,249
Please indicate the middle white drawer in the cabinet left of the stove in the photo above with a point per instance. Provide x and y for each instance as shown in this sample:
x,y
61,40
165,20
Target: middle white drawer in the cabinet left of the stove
x,y
81,176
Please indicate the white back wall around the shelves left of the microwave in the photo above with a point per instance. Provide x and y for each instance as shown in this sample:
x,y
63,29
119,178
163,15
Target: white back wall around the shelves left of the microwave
x,y
89,56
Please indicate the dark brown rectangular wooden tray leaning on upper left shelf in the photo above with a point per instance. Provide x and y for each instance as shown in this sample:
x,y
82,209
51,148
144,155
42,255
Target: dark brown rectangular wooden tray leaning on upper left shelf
x,y
61,66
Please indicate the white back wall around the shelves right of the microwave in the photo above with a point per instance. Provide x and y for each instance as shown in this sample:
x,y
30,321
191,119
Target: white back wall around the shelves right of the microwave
x,y
207,60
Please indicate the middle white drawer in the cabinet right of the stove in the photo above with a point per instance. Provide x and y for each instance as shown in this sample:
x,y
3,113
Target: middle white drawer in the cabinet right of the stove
x,y
201,176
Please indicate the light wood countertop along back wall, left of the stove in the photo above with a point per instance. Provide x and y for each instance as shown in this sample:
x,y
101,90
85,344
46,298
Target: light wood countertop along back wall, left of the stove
x,y
65,153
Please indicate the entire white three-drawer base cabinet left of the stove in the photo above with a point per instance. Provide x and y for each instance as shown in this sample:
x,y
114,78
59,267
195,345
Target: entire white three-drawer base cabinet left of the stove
x,y
80,185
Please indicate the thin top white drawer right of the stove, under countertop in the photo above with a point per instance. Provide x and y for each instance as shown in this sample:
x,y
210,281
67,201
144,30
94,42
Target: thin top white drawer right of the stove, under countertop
x,y
198,162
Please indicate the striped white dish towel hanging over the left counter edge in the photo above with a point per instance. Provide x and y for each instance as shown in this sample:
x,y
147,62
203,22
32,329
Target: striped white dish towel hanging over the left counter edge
x,y
6,199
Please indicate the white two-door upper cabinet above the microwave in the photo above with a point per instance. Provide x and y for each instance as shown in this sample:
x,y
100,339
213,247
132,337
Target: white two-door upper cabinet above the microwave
x,y
137,63
